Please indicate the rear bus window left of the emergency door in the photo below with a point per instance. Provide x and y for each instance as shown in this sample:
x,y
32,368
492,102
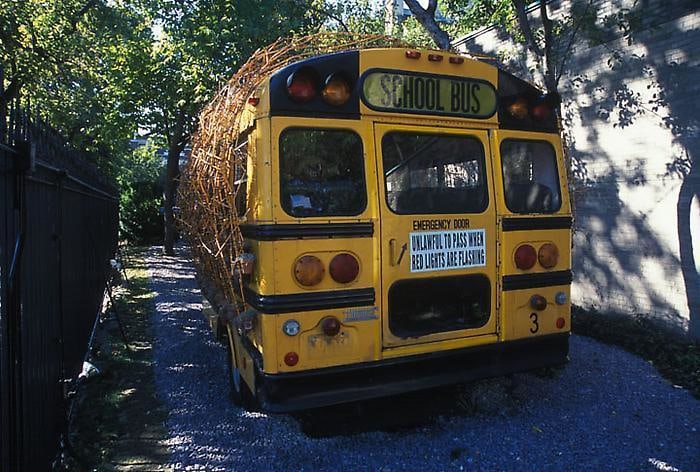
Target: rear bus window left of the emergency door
x,y
321,172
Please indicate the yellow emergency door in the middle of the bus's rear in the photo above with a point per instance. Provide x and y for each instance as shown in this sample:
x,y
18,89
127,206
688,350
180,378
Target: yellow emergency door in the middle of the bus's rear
x,y
438,236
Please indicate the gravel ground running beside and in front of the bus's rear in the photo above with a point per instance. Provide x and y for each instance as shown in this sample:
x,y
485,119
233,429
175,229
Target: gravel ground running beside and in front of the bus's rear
x,y
607,409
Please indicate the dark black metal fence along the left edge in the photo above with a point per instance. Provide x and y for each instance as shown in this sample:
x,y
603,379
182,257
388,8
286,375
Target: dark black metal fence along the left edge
x,y
58,231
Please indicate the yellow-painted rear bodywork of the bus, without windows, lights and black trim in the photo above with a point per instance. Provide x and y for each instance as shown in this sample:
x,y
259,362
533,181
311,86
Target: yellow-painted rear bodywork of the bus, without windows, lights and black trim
x,y
371,339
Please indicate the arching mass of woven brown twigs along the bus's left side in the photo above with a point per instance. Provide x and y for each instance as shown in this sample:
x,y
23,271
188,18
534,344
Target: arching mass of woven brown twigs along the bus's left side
x,y
208,192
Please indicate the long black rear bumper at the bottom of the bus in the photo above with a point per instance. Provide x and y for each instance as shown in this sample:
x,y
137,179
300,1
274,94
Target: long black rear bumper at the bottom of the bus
x,y
310,389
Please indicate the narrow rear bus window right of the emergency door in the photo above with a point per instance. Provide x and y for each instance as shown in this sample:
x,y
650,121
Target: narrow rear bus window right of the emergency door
x,y
530,177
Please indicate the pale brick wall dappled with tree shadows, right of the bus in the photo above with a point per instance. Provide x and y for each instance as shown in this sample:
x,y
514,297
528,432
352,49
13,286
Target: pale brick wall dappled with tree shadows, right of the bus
x,y
631,114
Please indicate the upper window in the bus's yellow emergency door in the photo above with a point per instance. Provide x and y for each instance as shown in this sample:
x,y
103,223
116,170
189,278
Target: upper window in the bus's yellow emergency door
x,y
434,174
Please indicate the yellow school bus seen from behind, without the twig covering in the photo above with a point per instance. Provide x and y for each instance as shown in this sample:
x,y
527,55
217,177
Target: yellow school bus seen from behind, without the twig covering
x,y
407,225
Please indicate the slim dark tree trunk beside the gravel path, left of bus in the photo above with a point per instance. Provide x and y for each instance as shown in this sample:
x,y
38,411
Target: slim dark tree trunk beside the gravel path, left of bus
x,y
175,147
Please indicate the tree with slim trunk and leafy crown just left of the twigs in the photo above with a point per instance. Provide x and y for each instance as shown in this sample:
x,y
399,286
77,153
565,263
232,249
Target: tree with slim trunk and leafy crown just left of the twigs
x,y
199,45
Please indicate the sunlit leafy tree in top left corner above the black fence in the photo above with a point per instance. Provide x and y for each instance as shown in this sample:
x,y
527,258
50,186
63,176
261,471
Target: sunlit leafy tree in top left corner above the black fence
x,y
48,52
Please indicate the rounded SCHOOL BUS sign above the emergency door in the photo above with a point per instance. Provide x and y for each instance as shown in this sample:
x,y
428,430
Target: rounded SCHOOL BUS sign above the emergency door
x,y
409,92
